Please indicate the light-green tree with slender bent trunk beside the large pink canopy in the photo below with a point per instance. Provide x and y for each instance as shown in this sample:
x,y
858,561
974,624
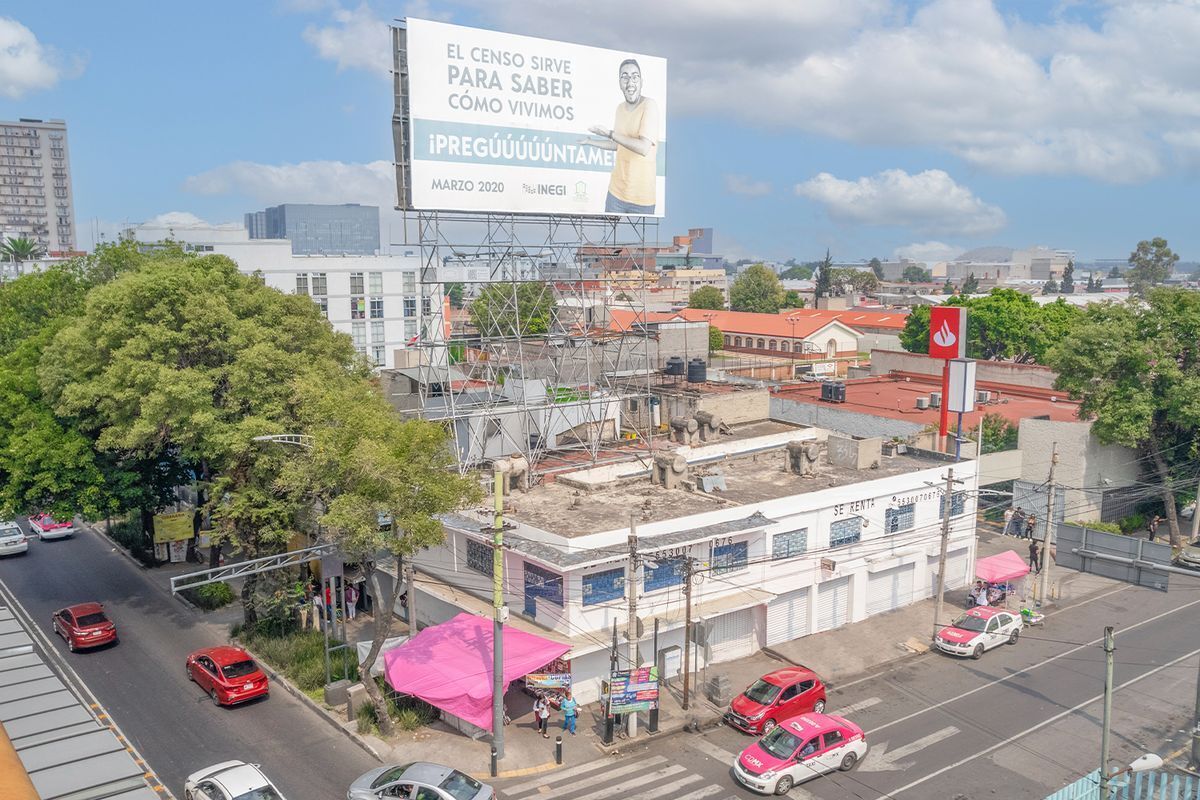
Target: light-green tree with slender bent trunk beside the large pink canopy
x,y
383,482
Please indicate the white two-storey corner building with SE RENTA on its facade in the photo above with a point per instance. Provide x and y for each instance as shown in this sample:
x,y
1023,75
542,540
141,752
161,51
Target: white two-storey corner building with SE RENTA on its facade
x,y
781,555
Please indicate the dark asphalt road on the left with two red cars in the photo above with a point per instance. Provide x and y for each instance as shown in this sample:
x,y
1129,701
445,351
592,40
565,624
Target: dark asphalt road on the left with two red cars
x,y
143,685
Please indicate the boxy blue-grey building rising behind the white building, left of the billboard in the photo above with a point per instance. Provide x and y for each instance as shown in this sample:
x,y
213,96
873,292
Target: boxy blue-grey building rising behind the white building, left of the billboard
x,y
349,230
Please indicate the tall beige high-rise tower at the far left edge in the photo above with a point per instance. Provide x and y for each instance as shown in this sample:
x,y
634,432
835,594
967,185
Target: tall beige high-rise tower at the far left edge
x,y
35,184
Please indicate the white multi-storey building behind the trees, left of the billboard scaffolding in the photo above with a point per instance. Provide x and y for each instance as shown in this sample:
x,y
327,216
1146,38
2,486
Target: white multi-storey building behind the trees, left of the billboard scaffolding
x,y
376,300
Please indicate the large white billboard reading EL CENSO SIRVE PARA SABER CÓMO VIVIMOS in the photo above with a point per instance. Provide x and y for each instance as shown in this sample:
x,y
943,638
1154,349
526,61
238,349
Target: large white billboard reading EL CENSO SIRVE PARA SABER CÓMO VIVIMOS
x,y
513,124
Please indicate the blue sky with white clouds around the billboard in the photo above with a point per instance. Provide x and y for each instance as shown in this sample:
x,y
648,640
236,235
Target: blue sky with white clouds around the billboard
x,y
868,128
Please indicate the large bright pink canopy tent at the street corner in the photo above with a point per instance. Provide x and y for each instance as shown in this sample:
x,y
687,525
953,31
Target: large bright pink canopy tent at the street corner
x,y
451,665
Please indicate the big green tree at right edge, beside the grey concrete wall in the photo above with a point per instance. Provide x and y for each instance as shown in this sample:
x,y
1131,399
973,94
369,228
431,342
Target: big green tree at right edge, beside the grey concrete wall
x,y
1136,371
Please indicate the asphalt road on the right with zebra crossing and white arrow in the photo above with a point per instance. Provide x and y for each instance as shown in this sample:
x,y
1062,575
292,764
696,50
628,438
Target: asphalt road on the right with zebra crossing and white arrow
x,y
1022,723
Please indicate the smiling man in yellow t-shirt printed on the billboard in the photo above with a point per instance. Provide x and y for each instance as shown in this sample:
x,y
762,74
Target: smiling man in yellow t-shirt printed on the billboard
x,y
634,136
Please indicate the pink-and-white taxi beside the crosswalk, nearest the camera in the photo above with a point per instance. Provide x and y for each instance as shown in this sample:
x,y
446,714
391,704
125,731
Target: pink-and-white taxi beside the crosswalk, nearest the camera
x,y
800,750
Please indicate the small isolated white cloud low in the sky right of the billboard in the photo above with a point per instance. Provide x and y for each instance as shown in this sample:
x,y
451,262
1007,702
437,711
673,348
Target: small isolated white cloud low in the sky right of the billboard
x,y
928,202
